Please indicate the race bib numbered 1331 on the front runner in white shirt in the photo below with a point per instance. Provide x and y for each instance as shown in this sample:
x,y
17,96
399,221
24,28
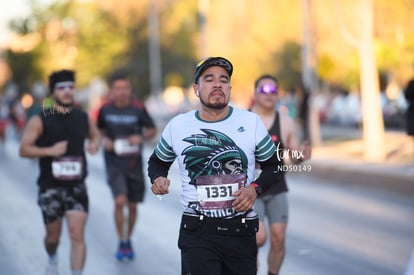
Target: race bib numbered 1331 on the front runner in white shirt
x,y
216,192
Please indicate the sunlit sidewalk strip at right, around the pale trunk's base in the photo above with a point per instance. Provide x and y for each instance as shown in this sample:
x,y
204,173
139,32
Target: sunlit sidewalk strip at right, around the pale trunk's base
x,y
342,161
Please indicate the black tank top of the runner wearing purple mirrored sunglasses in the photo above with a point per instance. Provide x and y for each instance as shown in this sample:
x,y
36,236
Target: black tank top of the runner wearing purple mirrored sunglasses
x,y
280,185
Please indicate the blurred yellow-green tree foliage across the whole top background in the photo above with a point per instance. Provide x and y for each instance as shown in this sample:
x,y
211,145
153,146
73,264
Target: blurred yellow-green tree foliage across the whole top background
x,y
97,37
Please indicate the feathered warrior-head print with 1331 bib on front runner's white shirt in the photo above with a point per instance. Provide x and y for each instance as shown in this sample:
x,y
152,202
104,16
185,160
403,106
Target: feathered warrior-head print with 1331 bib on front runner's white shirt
x,y
218,168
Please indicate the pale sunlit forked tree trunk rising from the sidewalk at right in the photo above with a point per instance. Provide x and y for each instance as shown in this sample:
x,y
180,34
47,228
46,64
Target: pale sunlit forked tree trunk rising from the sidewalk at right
x,y
359,32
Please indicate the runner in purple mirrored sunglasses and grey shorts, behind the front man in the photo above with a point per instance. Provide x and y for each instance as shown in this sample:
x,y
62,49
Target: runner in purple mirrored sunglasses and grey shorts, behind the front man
x,y
273,204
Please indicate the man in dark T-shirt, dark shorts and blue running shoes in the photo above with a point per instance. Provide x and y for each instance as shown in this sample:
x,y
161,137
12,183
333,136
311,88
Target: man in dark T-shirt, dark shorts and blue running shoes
x,y
125,125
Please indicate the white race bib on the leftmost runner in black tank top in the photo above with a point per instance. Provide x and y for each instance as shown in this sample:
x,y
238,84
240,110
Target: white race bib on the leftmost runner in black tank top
x,y
67,168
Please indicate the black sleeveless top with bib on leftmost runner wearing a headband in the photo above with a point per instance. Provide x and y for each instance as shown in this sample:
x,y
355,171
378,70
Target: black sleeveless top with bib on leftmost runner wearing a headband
x,y
69,169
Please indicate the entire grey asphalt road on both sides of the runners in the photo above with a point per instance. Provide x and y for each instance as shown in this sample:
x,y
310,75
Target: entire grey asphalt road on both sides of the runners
x,y
334,228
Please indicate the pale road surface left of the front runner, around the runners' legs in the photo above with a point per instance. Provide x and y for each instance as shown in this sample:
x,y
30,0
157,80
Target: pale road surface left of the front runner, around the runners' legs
x,y
21,245
